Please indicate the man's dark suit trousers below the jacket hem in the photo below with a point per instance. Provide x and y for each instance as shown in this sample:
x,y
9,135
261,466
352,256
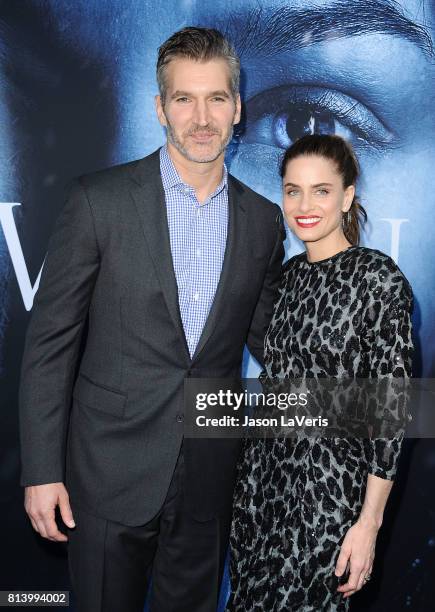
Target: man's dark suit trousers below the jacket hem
x,y
110,563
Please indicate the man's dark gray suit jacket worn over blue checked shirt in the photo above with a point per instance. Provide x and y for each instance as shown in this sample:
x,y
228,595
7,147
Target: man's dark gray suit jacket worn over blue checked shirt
x,y
101,394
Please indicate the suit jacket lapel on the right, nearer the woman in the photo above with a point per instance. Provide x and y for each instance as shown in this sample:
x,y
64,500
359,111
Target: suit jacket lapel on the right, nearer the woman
x,y
234,250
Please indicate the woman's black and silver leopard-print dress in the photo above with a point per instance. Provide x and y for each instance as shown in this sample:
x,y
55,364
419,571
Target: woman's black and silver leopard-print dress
x,y
295,498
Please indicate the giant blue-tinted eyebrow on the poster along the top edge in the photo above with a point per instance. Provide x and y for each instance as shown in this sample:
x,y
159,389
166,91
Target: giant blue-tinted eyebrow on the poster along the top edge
x,y
269,31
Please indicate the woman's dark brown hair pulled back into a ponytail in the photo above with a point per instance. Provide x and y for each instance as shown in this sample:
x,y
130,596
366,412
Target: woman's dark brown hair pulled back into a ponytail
x,y
341,153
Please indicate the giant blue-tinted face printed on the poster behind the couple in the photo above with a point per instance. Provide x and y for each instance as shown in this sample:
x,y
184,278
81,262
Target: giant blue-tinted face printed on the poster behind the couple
x,y
363,69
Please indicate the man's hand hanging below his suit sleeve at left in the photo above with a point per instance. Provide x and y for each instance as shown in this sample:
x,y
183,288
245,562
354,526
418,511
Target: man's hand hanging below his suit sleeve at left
x,y
40,503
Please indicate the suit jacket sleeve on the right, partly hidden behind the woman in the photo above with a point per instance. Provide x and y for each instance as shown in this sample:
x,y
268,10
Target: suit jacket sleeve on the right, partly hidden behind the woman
x,y
264,309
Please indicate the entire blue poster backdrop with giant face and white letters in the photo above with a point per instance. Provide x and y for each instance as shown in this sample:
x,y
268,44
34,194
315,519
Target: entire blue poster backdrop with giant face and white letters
x,y
77,86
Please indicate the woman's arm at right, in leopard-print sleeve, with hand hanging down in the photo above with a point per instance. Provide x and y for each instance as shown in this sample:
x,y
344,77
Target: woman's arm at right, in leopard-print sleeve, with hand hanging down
x,y
388,327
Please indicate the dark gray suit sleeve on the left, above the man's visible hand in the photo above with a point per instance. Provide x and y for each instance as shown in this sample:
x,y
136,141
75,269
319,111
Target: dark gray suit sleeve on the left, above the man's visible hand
x,y
53,340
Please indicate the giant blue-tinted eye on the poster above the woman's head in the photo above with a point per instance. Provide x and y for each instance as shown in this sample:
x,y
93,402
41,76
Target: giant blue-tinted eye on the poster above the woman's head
x,y
279,116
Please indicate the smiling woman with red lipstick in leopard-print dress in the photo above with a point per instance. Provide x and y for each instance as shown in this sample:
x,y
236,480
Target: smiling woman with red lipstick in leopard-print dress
x,y
308,510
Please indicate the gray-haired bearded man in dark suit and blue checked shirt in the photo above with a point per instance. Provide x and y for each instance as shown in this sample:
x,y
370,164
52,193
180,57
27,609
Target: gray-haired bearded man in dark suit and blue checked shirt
x,y
157,270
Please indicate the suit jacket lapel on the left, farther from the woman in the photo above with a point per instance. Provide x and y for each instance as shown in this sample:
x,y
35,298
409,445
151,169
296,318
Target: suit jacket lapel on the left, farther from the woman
x,y
149,198
